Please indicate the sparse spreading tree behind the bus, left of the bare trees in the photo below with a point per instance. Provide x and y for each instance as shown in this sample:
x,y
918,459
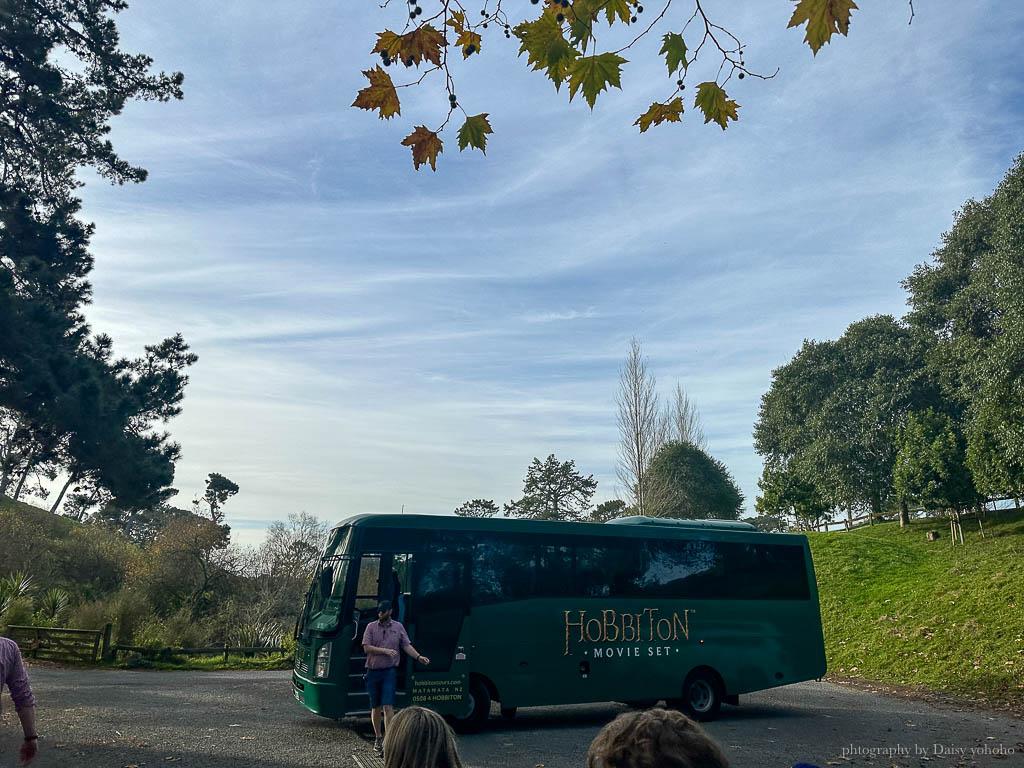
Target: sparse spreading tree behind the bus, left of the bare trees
x,y
553,491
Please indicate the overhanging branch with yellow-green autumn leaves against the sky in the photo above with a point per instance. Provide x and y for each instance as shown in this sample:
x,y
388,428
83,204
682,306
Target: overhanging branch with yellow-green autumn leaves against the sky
x,y
561,39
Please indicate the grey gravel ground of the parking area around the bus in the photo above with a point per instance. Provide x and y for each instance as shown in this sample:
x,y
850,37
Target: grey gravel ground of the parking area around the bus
x,y
113,719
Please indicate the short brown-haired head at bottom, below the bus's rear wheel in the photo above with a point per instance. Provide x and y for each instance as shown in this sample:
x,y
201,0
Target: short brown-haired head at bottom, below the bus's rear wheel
x,y
656,739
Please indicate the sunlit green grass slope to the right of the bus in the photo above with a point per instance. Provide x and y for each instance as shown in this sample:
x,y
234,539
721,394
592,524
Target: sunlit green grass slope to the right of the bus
x,y
901,610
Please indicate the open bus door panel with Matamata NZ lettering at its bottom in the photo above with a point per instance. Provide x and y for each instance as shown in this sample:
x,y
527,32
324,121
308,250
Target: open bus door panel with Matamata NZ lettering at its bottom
x,y
439,609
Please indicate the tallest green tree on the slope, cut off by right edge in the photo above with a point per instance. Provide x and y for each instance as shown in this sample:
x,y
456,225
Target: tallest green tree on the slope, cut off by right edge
x,y
971,300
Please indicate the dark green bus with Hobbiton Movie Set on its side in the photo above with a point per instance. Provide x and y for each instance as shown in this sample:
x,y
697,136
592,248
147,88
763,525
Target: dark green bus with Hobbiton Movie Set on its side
x,y
528,613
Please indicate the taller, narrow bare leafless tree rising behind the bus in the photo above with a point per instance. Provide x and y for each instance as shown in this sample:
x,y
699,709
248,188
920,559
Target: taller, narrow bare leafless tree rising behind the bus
x,y
638,425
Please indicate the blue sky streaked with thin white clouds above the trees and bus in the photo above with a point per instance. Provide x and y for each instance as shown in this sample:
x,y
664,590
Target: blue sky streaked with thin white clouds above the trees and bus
x,y
373,338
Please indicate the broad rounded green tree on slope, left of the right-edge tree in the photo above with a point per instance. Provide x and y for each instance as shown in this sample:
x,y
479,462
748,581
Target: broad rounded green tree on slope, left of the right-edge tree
x,y
834,413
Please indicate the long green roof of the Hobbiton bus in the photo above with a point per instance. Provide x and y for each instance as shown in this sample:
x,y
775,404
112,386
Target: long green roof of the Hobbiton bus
x,y
636,527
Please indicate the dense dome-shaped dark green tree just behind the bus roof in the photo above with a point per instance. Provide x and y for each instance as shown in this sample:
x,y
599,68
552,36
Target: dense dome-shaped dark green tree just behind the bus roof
x,y
687,483
